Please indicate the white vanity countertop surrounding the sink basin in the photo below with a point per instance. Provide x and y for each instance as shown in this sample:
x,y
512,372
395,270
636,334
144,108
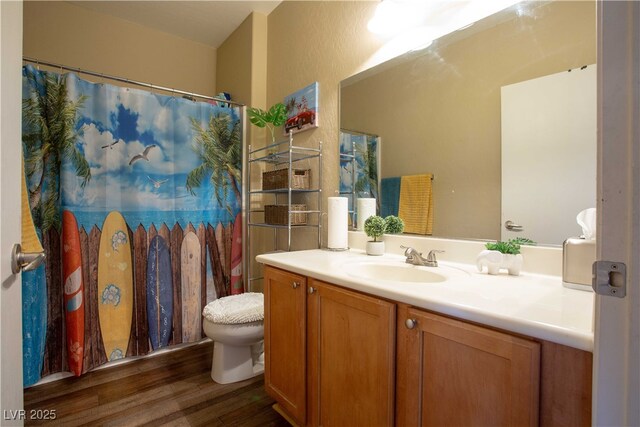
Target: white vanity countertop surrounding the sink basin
x,y
529,304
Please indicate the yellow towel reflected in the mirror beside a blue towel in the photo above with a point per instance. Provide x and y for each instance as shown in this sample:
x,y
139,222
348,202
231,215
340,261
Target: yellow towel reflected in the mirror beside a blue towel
x,y
416,204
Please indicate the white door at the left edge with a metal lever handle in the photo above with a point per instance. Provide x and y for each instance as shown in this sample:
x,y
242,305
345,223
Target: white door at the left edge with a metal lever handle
x,y
11,394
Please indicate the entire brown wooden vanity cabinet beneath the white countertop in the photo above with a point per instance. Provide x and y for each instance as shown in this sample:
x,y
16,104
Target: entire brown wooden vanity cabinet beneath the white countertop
x,y
337,357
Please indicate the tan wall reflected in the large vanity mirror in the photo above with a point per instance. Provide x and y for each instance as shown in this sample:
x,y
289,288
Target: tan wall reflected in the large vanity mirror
x,y
439,110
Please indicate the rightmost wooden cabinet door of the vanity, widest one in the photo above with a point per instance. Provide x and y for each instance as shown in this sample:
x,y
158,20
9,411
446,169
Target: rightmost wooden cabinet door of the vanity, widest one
x,y
452,373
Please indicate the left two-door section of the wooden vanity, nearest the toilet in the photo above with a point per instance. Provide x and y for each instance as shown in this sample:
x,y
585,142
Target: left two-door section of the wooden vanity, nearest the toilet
x,y
347,373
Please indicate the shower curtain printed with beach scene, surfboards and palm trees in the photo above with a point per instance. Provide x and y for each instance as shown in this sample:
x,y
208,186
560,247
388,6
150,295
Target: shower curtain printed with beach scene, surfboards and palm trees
x,y
135,198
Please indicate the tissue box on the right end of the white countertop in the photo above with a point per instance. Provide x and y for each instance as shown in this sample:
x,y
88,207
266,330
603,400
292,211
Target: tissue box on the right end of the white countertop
x,y
578,255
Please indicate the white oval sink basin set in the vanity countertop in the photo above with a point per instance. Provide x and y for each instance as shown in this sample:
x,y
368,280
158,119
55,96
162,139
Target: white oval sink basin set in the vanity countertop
x,y
394,272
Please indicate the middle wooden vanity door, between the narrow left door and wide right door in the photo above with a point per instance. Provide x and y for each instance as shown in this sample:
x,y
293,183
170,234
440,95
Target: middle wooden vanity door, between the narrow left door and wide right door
x,y
351,348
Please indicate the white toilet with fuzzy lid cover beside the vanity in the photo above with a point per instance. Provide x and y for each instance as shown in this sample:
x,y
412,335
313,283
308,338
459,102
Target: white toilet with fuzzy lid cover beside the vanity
x,y
236,326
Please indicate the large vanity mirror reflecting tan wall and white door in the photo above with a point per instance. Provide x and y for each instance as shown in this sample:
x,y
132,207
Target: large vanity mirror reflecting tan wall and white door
x,y
501,113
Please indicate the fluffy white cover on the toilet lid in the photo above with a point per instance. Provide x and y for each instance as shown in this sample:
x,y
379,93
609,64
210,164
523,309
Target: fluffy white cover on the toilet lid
x,y
234,309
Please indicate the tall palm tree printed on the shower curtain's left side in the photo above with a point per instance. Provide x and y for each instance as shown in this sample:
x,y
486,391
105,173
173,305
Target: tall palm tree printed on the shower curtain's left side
x,y
49,137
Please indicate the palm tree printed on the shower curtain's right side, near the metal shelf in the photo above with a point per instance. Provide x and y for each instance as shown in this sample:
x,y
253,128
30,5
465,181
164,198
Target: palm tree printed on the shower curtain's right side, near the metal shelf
x,y
219,148
